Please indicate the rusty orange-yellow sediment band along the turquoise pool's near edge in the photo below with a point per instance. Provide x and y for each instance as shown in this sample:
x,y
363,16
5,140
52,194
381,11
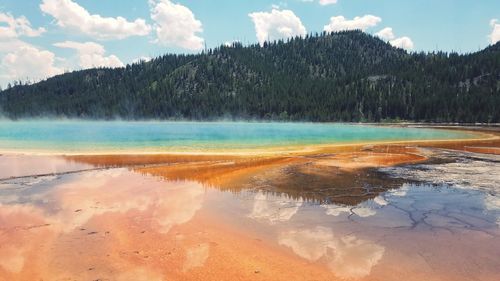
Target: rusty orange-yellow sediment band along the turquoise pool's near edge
x,y
229,170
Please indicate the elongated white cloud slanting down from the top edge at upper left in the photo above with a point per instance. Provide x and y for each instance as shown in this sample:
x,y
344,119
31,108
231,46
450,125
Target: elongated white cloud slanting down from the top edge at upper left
x,y
69,14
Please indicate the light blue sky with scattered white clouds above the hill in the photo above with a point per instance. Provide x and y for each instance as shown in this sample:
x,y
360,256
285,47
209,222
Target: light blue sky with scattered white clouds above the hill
x,y
43,38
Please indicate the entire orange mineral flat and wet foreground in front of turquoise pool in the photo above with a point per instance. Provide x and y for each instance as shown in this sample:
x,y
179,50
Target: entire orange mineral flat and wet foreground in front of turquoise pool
x,y
324,213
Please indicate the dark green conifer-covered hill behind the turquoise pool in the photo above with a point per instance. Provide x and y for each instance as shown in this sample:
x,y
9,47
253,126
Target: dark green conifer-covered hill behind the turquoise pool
x,y
346,76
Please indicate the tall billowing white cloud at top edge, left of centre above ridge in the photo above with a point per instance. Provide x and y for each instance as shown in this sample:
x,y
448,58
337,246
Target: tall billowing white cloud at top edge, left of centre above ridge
x,y
176,25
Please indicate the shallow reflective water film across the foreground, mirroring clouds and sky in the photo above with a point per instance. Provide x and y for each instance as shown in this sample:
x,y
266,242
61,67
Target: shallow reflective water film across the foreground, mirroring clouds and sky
x,y
121,225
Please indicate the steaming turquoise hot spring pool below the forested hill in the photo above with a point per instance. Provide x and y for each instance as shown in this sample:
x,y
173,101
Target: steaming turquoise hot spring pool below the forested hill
x,y
95,136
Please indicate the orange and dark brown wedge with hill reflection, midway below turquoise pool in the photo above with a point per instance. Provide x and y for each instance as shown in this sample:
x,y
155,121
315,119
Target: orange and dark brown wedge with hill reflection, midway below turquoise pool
x,y
313,179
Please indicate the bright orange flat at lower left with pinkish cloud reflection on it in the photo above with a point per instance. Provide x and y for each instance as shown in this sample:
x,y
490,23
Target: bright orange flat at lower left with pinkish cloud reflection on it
x,y
117,226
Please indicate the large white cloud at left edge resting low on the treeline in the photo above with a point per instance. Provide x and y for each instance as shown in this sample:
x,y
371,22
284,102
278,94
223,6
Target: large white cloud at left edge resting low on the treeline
x,y
27,62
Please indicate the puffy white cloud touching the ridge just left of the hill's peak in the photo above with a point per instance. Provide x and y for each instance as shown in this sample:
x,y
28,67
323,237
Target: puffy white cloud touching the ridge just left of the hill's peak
x,y
274,25
